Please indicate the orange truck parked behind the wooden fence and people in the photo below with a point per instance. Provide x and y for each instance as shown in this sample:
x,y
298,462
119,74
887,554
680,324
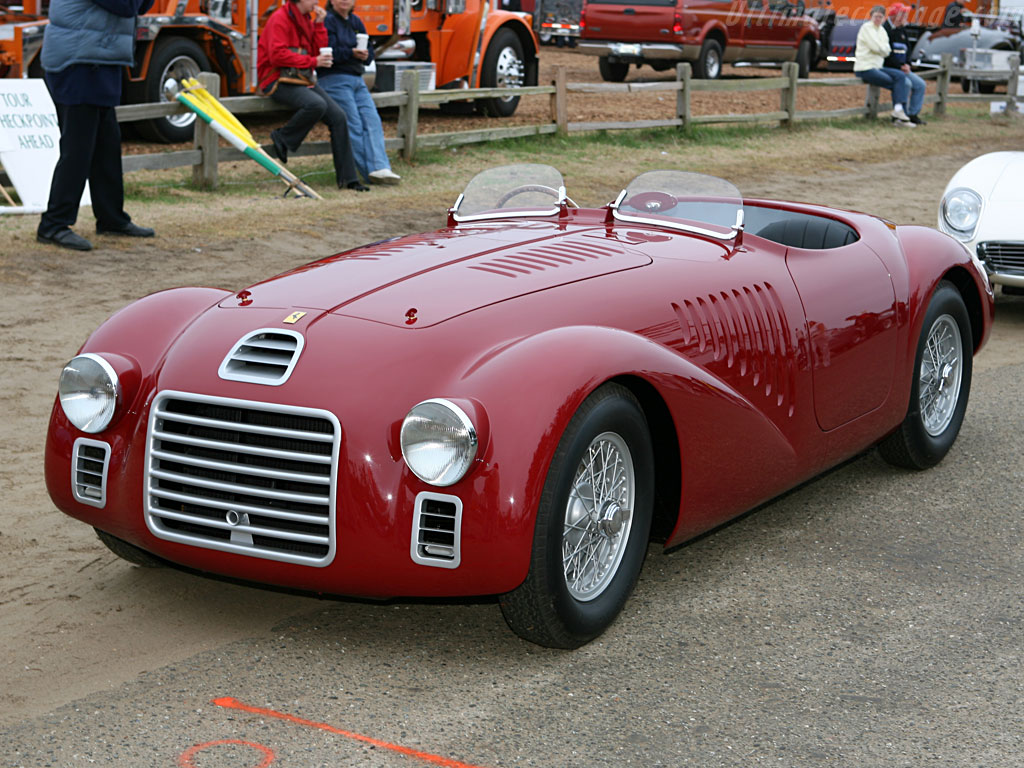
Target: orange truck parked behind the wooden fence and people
x,y
471,44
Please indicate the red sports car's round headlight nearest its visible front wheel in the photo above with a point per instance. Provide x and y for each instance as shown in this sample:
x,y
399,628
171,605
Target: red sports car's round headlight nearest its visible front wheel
x,y
439,442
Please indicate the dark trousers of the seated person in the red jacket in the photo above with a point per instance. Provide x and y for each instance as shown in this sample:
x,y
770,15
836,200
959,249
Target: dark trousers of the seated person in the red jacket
x,y
312,106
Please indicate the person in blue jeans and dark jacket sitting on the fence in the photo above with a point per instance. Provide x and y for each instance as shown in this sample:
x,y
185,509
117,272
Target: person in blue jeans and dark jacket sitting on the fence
x,y
344,82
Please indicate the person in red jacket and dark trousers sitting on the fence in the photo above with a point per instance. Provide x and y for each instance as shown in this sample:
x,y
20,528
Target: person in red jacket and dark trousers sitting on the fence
x,y
289,54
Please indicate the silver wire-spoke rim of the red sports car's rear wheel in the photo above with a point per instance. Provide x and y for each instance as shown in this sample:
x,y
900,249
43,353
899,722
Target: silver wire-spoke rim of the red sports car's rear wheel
x,y
940,378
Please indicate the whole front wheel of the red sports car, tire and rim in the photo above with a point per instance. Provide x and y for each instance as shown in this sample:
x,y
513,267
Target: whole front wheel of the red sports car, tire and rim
x,y
592,526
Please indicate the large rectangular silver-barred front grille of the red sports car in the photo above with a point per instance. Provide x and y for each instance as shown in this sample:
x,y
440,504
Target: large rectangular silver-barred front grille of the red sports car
x,y
248,478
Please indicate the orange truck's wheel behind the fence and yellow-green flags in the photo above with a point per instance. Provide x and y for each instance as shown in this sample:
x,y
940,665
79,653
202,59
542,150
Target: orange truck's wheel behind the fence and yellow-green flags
x,y
174,58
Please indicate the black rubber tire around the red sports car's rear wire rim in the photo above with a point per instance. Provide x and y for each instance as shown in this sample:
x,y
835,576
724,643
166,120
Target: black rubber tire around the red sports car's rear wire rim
x,y
930,449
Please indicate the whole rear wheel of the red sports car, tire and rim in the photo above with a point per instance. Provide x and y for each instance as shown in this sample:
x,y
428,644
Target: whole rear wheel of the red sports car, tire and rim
x,y
942,386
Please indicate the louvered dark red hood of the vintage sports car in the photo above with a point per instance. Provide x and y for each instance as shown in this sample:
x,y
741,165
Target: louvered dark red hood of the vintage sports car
x,y
422,280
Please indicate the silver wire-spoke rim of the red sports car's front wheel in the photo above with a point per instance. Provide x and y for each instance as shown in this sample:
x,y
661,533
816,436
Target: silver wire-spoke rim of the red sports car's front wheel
x,y
599,517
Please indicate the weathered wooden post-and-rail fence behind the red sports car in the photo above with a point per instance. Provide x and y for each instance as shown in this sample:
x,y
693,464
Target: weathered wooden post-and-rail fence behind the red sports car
x,y
207,153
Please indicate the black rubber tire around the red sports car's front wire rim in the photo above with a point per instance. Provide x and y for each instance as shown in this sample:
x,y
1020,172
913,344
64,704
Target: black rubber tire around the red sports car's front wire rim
x,y
611,414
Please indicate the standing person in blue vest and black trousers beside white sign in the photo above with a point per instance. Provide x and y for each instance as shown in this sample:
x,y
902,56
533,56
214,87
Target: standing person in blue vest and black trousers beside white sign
x,y
87,46
